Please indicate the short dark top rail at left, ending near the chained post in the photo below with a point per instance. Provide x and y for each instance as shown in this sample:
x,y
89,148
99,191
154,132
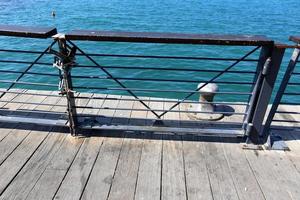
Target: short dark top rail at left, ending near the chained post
x,y
27,31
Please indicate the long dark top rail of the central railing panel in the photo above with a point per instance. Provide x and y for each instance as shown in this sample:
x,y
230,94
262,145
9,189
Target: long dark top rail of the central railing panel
x,y
174,38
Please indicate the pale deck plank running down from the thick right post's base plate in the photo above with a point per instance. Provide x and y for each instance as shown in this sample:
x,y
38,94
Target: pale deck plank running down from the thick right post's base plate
x,y
265,175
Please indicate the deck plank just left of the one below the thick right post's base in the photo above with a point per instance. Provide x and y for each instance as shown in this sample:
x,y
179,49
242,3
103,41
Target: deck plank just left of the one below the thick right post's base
x,y
243,177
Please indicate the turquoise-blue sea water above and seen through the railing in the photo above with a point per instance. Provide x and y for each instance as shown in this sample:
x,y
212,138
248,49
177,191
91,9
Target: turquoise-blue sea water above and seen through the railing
x,y
275,18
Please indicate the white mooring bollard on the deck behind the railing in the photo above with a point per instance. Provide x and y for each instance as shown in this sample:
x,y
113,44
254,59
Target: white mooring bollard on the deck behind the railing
x,y
206,107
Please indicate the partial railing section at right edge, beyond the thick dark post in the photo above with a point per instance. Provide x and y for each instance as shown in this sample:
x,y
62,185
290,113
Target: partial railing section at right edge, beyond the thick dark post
x,y
284,112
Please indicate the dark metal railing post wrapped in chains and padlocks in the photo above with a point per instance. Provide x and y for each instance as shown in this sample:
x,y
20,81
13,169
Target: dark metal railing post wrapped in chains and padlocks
x,y
64,60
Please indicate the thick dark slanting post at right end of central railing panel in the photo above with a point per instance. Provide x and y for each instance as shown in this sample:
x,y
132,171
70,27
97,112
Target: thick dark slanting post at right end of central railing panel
x,y
268,77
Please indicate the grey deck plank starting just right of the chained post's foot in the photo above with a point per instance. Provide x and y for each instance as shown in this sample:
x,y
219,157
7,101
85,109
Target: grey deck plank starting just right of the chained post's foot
x,y
75,181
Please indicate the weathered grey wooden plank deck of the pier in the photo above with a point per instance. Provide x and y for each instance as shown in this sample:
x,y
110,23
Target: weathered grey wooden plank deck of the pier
x,y
47,163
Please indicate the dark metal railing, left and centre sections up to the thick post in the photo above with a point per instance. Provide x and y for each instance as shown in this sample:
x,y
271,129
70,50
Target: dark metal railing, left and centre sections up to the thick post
x,y
81,71
